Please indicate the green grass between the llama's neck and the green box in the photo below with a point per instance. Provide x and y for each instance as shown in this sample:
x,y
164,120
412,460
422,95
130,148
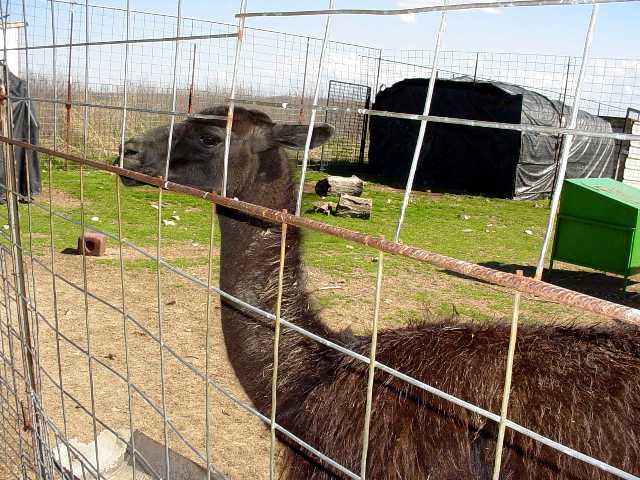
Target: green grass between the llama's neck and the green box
x,y
495,230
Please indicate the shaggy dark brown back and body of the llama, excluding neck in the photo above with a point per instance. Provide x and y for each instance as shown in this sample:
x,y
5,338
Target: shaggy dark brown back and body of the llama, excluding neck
x,y
578,386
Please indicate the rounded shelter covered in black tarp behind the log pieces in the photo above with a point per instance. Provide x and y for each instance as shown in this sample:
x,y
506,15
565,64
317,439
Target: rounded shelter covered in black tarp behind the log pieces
x,y
487,161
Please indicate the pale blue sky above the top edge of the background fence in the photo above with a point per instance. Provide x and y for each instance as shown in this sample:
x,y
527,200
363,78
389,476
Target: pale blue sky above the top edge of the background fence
x,y
547,30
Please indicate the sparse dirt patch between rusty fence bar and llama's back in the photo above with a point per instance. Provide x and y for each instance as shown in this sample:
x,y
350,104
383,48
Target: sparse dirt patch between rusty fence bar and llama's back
x,y
423,292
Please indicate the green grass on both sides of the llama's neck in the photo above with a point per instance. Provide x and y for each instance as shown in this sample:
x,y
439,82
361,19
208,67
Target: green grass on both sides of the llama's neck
x,y
436,223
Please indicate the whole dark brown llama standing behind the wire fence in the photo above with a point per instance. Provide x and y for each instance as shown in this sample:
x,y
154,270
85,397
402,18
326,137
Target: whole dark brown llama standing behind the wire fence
x,y
579,385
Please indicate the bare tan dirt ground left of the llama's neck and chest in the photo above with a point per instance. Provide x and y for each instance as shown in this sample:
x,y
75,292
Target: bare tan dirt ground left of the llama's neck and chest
x,y
239,443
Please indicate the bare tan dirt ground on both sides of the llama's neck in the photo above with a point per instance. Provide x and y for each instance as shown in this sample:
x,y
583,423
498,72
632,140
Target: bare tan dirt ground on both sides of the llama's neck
x,y
238,441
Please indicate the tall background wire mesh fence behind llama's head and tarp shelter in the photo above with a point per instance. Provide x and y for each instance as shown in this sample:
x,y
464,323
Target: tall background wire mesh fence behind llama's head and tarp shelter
x,y
275,68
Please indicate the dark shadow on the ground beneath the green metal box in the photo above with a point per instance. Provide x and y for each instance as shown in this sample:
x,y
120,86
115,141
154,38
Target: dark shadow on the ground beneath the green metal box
x,y
597,284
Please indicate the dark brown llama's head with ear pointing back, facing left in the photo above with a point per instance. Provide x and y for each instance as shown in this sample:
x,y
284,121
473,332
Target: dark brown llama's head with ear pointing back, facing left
x,y
198,144
